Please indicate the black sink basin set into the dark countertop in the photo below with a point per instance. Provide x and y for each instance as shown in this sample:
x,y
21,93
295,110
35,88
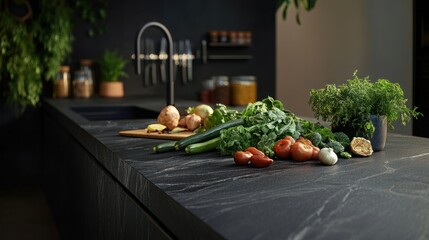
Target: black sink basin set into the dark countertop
x,y
98,113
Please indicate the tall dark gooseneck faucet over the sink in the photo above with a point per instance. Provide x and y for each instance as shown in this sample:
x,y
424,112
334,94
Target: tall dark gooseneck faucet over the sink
x,y
170,82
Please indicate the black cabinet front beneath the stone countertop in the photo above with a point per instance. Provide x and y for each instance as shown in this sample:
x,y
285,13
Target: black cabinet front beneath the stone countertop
x,y
87,201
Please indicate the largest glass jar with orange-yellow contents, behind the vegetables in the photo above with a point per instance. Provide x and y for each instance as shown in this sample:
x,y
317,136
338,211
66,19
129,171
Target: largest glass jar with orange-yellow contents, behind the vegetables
x,y
243,90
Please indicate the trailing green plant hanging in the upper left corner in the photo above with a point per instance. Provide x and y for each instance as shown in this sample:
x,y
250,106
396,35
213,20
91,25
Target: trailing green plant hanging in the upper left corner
x,y
35,39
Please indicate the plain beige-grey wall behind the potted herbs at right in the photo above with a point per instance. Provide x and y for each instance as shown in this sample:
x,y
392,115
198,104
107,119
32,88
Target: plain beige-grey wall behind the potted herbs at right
x,y
337,38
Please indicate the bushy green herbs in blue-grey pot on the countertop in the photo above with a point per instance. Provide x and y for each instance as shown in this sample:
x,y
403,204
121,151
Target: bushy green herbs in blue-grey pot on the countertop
x,y
362,108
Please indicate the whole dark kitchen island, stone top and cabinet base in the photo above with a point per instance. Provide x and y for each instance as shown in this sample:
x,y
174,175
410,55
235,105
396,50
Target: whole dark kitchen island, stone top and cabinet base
x,y
105,186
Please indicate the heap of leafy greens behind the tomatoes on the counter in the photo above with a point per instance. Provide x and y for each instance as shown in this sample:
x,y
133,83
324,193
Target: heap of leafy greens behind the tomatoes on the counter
x,y
265,122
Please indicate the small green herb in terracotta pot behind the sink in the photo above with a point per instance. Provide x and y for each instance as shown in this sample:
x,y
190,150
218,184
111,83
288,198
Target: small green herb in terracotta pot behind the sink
x,y
111,69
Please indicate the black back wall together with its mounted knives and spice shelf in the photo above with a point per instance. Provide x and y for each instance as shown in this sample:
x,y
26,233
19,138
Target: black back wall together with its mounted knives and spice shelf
x,y
191,24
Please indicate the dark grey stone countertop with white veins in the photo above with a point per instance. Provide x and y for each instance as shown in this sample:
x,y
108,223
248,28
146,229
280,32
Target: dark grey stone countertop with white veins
x,y
384,196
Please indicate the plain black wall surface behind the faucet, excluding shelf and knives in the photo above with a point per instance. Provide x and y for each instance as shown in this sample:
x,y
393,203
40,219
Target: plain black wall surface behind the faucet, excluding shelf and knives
x,y
189,20
